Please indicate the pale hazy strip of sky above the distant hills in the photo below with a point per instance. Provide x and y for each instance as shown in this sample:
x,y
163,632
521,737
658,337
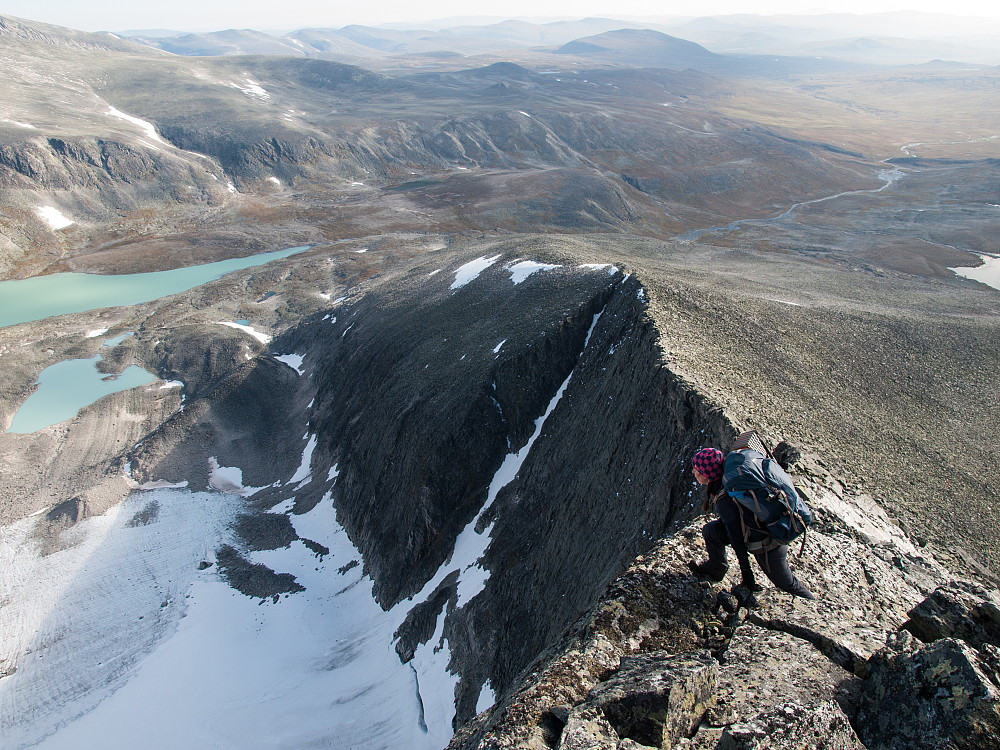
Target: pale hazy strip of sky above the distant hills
x,y
207,15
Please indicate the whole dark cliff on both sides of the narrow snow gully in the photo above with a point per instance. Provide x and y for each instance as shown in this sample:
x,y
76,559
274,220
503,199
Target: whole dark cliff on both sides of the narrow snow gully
x,y
417,412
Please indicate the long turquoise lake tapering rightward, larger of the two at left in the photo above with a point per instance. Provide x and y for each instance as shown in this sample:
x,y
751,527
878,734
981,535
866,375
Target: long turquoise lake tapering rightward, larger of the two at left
x,y
42,297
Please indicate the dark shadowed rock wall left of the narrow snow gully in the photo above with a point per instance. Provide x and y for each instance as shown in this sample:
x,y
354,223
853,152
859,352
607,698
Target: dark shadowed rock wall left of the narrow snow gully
x,y
417,410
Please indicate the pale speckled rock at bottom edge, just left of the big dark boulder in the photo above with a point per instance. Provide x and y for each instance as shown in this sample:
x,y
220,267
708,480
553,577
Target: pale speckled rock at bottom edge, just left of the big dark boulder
x,y
804,726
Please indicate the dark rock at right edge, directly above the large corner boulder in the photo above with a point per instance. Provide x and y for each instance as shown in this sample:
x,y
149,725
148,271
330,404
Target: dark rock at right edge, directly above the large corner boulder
x,y
959,609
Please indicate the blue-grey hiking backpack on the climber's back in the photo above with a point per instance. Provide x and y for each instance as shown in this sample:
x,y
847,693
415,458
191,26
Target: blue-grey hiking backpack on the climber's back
x,y
760,484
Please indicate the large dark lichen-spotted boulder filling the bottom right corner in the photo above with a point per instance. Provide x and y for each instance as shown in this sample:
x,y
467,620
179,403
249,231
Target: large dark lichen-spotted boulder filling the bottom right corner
x,y
928,697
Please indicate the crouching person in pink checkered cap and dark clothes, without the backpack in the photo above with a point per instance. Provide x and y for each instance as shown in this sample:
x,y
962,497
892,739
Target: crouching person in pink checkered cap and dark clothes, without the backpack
x,y
739,527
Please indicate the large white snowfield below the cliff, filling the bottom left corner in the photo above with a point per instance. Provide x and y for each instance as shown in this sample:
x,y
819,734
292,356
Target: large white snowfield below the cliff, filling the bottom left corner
x,y
121,641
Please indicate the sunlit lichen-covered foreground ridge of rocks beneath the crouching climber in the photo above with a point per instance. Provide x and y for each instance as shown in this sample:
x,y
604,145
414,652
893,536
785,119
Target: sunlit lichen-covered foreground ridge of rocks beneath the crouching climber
x,y
894,652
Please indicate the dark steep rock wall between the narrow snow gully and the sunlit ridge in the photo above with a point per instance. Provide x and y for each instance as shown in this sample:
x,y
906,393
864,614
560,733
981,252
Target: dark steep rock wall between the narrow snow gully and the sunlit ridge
x,y
607,477
